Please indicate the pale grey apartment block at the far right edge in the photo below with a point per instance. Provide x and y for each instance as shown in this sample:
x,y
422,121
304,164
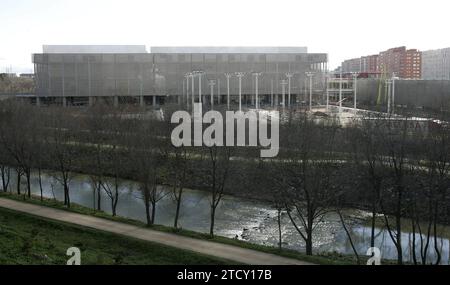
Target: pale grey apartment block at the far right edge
x,y
436,64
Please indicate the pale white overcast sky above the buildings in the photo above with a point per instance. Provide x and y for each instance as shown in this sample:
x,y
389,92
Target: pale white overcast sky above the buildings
x,y
343,29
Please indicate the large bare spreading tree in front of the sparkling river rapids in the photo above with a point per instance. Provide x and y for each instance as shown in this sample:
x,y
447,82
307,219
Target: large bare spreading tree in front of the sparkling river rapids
x,y
306,173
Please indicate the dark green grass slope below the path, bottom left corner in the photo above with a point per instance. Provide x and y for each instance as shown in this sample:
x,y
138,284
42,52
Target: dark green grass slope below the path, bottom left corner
x,y
26,239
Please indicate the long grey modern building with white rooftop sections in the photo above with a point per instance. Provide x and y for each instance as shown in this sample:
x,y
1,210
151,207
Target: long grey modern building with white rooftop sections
x,y
83,74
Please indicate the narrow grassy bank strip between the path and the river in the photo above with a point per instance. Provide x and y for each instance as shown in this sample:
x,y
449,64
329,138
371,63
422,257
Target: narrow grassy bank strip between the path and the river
x,y
332,258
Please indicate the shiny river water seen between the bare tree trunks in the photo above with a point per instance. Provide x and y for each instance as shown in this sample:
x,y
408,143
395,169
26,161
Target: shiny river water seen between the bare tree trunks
x,y
248,220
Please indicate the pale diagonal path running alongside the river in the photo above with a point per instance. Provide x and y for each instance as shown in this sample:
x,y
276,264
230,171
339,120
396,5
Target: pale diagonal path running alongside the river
x,y
234,253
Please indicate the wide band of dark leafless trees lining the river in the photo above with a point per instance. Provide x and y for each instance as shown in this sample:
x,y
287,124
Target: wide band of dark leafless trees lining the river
x,y
394,171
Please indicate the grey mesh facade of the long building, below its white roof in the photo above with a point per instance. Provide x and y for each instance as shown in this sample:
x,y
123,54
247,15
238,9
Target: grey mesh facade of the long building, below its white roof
x,y
162,74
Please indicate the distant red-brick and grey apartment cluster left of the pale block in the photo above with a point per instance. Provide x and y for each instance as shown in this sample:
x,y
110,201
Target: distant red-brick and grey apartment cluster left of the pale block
x,y
405,64
